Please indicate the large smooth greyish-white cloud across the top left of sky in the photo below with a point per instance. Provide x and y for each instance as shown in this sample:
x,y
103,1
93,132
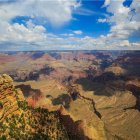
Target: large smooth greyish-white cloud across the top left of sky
x,y
50,10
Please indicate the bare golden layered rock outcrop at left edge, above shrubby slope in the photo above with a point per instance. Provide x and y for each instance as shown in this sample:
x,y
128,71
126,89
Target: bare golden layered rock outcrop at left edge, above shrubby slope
x,y
8,96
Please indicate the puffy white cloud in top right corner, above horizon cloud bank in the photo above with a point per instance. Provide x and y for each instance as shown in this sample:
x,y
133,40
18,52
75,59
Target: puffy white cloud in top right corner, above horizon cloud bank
x,y
125,20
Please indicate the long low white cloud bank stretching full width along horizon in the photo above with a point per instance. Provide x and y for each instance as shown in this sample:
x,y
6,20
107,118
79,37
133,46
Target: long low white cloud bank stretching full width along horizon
x,y
35,37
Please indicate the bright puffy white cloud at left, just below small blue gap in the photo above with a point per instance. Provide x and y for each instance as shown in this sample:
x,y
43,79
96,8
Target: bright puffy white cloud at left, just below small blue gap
x,y
17,33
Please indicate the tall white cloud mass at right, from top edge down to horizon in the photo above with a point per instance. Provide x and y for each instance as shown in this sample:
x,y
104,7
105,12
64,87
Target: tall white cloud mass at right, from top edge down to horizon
x,y
124,23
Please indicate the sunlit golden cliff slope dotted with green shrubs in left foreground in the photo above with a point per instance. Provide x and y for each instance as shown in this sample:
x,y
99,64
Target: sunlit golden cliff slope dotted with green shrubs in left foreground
x,y
19,121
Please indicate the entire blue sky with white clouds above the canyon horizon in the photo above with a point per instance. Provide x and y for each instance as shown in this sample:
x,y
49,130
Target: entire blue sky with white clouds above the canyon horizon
x,y
27,25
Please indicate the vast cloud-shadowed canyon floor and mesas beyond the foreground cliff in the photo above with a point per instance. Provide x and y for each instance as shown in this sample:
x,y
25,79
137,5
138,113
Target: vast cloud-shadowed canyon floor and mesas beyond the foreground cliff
x,y
99,88
